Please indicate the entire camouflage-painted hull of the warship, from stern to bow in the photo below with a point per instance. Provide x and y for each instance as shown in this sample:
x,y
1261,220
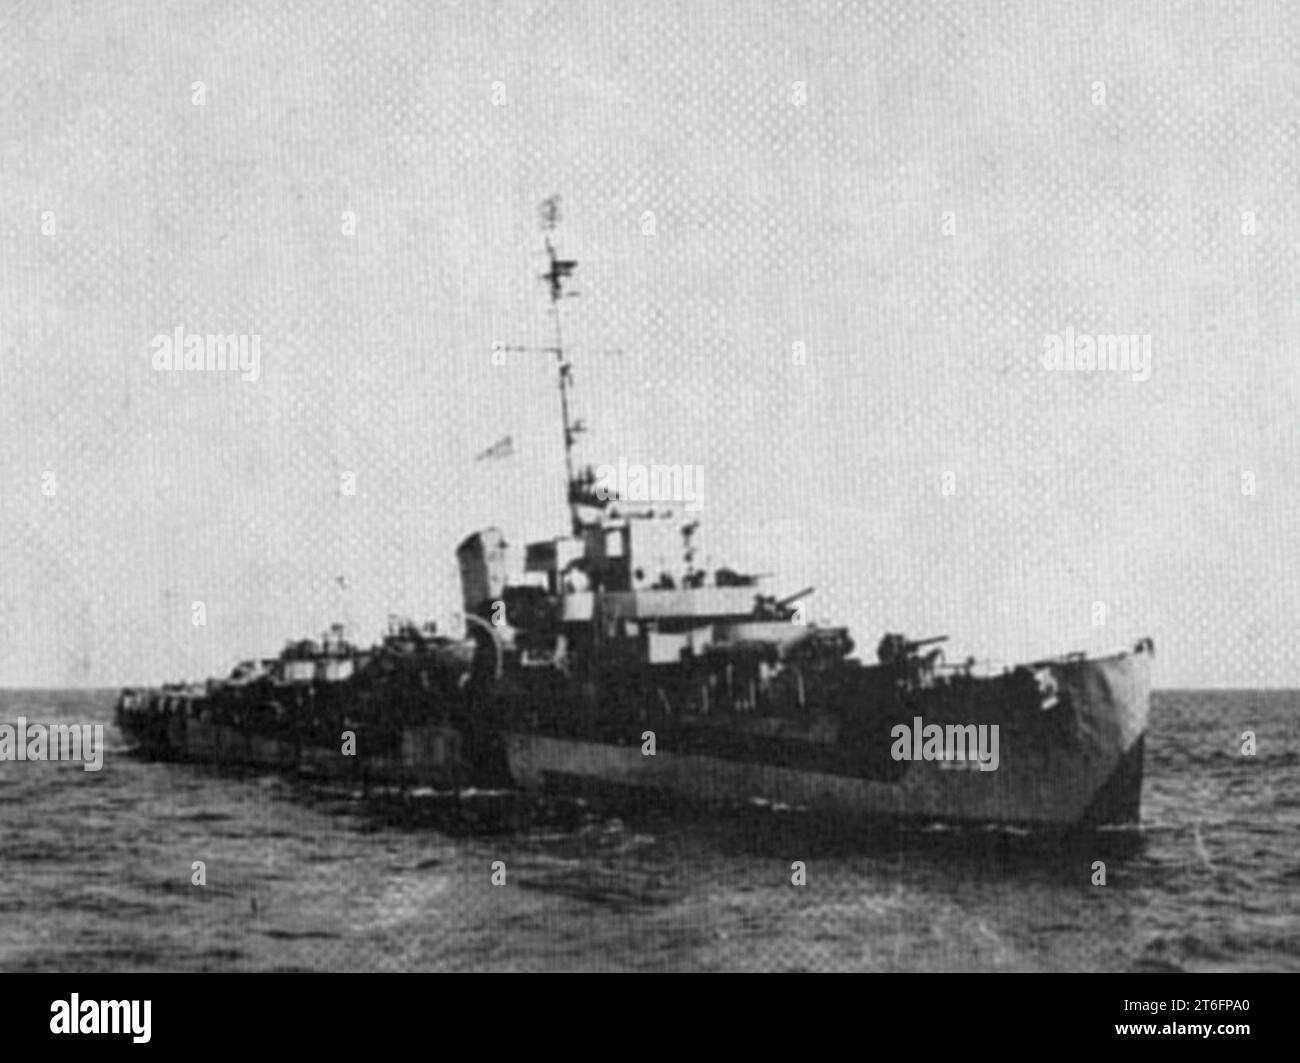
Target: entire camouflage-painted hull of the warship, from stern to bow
x,y
1077,766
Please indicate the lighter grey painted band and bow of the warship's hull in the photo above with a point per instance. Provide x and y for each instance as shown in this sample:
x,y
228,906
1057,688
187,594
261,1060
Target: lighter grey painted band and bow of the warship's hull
x,y
1085,775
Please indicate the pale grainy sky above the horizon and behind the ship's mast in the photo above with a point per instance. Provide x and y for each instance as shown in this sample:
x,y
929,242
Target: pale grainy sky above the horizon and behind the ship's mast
x,y
736,179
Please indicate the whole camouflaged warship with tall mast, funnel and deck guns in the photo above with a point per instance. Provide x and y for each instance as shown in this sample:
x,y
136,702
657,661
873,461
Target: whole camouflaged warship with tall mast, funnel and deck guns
x,y
588,665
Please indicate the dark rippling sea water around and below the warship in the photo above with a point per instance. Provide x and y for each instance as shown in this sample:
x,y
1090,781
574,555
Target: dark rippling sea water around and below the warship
x,y
96,873
